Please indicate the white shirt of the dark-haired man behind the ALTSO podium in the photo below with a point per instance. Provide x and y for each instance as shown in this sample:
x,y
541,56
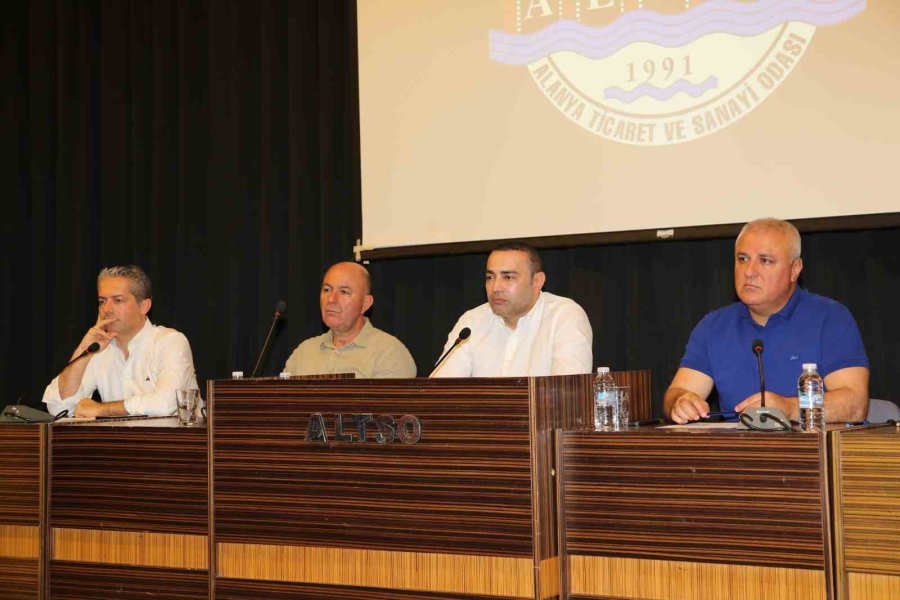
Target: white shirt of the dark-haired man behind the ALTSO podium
x,y
553,338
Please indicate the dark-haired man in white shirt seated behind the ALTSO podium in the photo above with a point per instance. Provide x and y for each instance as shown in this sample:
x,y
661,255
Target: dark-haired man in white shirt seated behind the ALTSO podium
x,y
520,330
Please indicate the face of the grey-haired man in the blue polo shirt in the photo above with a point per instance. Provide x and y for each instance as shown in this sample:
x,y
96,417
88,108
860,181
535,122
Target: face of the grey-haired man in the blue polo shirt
x,y
764,274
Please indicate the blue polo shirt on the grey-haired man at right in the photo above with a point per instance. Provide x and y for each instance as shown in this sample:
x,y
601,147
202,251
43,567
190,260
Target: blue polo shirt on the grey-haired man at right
x,y
810,328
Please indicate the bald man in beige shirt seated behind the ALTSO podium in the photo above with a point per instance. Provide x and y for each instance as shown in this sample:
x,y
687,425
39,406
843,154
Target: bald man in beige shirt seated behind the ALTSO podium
x,y
351,344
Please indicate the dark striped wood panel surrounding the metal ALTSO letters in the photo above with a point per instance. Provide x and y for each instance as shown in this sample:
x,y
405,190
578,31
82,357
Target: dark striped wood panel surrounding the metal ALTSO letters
x,y
464,488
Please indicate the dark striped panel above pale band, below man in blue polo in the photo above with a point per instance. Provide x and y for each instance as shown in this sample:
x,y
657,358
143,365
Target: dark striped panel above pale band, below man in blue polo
x,y
725,497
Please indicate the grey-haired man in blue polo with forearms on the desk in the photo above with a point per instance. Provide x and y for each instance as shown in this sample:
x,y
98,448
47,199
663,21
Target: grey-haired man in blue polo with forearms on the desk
x,y
795,327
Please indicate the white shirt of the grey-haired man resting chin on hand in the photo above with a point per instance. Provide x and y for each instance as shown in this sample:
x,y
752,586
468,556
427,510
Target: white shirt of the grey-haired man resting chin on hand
x,y
159,362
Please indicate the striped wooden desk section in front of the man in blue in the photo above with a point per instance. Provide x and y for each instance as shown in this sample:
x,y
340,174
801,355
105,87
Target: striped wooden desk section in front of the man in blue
x,y
670,514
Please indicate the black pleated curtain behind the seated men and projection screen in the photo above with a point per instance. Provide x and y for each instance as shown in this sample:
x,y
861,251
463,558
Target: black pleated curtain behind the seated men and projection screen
x,y
216,144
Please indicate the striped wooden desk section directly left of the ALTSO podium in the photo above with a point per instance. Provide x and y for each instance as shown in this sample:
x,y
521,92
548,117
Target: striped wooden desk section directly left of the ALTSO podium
x,y
128,510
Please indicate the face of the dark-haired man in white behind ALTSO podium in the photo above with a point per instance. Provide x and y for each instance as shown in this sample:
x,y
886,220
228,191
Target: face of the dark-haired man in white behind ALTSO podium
x,y
511,287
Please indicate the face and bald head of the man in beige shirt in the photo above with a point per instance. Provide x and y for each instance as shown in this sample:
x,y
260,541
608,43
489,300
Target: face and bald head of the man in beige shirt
x,y
344,297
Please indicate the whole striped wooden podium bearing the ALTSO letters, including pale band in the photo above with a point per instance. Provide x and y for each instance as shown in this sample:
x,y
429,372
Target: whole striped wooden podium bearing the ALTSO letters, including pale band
x,y
438,489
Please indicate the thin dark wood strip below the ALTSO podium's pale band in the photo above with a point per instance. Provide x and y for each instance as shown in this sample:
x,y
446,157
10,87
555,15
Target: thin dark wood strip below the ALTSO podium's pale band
x,y
232,589
